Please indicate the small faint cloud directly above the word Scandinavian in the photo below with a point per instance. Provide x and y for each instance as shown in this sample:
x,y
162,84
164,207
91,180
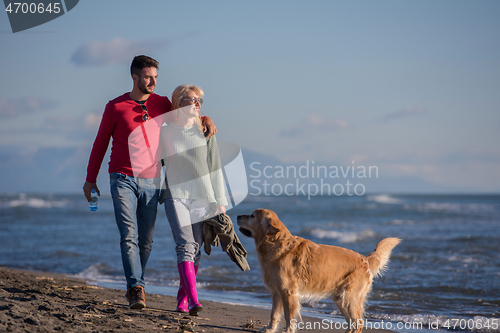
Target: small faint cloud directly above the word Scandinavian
x,y
312,124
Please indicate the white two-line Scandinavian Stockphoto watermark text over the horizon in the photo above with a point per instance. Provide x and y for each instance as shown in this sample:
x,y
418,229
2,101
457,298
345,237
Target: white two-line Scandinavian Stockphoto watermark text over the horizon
x,y
309,179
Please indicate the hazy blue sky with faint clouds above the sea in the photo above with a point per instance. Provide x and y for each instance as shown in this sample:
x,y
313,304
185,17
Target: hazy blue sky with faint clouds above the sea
x,y
408,86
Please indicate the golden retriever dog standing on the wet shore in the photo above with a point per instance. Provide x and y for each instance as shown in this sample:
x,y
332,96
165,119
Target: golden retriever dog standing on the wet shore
x,y
294,268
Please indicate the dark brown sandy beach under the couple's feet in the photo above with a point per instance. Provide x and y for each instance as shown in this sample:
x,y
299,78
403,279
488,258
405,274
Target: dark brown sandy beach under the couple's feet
x,y
47,302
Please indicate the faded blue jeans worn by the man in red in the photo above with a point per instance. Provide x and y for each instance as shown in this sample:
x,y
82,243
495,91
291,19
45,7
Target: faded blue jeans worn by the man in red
x,y
136,202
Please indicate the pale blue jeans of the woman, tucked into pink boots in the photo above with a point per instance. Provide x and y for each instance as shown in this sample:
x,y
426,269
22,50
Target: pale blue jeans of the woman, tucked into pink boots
x,y
185,216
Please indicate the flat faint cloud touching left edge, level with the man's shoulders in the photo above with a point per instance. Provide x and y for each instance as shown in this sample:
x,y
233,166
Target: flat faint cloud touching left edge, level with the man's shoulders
x,y
13,107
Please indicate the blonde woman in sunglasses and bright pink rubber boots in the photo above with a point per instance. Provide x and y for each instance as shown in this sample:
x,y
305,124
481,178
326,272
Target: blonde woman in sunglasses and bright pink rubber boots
x,y
194,187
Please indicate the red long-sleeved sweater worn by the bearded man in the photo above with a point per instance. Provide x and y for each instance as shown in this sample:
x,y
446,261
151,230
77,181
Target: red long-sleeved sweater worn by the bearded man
x,y
121,117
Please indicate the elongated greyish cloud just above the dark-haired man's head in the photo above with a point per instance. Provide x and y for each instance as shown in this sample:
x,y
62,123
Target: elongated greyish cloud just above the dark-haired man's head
x,y
115,51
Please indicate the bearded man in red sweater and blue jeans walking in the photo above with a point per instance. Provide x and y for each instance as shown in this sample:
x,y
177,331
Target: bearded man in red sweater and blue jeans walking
x,y
135,196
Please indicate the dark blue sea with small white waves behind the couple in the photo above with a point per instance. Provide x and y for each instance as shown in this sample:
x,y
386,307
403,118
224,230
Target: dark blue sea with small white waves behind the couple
x,y
444,275
